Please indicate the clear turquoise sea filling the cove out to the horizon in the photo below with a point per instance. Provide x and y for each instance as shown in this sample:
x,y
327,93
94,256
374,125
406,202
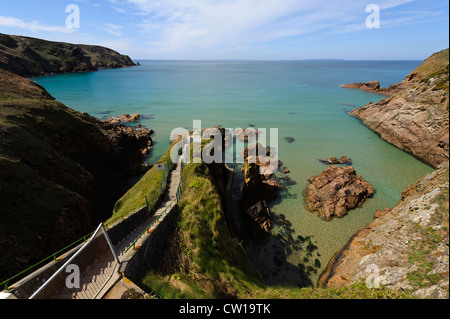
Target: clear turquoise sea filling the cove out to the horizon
x,y
303,99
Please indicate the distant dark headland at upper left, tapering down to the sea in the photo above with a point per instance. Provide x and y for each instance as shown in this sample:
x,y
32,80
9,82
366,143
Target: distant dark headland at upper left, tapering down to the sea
x,y
32,57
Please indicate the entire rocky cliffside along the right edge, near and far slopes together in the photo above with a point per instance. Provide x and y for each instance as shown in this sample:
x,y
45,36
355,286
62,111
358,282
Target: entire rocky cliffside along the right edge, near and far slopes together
x,y
406,248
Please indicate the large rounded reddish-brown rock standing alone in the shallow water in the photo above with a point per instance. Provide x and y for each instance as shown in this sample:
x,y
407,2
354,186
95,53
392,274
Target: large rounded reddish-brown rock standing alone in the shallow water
x,y
335,191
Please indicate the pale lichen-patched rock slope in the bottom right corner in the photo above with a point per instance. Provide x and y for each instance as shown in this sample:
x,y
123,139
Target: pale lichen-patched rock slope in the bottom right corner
x,y
404,248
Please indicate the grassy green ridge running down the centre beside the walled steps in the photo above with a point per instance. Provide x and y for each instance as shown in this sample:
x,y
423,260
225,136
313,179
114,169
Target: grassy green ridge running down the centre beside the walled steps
x,y
203,260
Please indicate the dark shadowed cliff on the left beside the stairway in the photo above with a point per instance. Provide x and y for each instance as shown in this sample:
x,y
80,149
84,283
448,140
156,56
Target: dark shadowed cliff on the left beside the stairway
x,y
61,172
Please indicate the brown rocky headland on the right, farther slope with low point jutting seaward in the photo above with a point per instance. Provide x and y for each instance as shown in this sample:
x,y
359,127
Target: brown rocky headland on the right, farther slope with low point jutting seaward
x,y
414,117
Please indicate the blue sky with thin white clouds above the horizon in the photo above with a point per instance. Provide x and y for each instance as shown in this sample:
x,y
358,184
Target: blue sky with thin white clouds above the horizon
x,y
239,29
